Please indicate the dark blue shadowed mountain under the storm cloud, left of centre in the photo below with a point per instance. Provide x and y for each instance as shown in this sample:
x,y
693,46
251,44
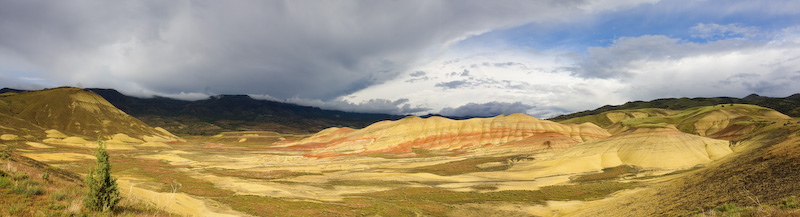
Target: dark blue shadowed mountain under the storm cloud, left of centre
x,y
235,113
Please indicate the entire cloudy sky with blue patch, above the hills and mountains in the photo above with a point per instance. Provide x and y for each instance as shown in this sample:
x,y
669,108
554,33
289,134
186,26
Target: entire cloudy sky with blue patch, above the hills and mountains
x,y
540,57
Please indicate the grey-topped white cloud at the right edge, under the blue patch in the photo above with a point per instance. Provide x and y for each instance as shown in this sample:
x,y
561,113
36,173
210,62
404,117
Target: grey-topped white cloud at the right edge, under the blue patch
x,y
659,66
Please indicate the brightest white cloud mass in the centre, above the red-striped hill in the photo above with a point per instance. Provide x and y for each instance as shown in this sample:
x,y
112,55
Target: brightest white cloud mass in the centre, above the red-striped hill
x,y
535,79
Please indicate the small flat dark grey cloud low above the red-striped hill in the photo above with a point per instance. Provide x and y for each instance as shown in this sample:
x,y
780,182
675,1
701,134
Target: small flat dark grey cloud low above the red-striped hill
x,y
487,109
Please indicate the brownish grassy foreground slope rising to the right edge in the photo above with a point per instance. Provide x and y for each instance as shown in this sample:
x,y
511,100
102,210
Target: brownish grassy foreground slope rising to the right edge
x,y
760,174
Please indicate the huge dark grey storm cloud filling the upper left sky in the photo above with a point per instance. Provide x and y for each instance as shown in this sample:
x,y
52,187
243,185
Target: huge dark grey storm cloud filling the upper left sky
x,y
309,49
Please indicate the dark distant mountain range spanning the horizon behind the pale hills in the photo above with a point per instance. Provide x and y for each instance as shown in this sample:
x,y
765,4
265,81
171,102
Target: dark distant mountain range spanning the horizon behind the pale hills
x,y
240,112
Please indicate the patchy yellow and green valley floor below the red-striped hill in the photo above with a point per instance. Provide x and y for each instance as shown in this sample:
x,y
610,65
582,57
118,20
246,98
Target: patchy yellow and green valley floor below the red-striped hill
x,y
238,174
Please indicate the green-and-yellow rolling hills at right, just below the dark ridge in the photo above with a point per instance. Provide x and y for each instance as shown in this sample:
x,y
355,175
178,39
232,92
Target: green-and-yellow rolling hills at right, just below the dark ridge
x,y
727,121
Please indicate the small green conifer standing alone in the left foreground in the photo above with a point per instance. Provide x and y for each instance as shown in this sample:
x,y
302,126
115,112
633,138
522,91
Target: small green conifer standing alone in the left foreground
x,y
102,194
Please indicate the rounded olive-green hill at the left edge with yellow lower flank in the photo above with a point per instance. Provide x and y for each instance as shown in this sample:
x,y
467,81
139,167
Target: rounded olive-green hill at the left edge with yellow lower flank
x,y
72,114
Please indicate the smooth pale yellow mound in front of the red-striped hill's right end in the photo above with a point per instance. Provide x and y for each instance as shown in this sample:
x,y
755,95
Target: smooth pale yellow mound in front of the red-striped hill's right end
x,y
651,148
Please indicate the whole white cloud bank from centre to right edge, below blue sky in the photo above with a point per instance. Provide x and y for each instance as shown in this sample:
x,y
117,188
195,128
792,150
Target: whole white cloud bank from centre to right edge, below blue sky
x,y
633,68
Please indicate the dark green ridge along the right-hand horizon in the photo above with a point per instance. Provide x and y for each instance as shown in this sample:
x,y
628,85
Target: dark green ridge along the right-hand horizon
x,y
788,105
